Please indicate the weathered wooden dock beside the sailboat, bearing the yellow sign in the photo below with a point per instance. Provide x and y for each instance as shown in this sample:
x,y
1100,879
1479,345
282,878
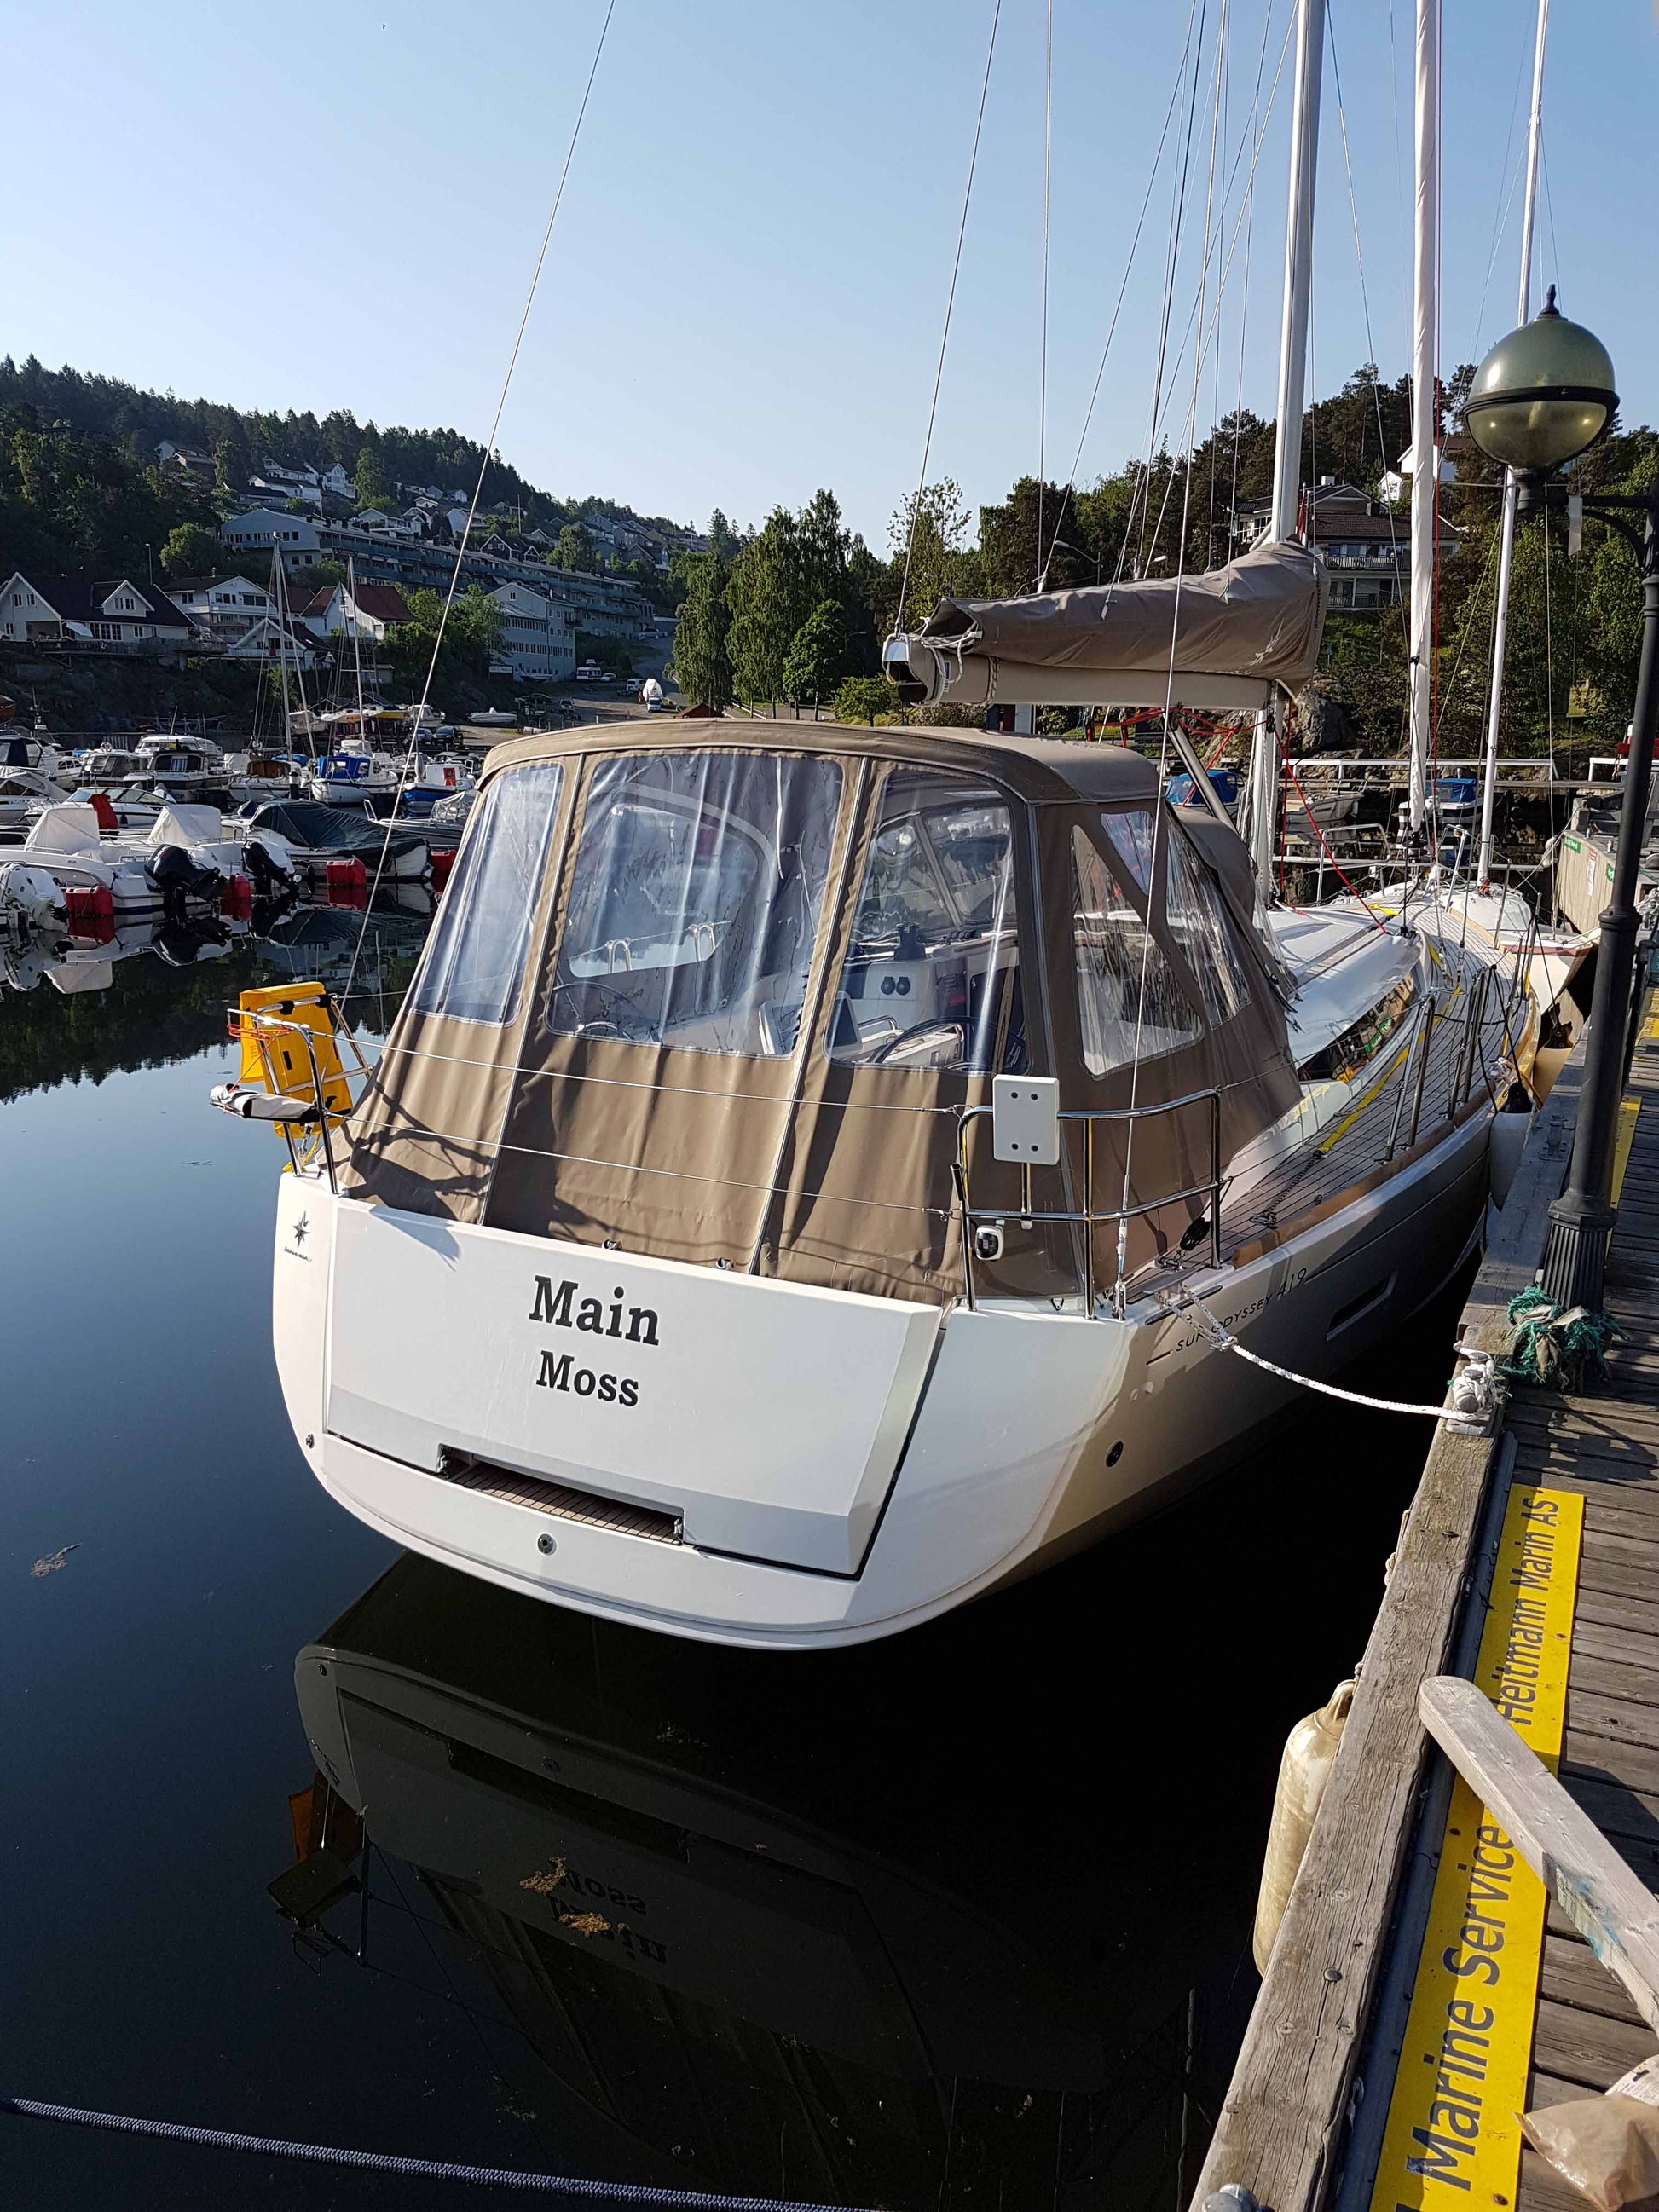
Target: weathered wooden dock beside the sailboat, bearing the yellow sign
x,y
1426,1990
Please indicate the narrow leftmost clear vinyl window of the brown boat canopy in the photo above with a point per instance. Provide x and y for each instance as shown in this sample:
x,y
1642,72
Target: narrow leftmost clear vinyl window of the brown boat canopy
x,y
477,950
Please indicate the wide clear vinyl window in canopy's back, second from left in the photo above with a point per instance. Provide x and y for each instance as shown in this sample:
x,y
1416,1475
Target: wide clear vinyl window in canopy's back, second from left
x,y
696,899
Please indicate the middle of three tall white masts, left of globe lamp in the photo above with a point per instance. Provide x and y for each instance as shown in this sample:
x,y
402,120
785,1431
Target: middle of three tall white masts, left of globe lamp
x,y
1426,461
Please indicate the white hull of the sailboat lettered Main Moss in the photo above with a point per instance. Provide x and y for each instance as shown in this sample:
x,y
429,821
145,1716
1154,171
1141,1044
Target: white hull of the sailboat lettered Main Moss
x,y
833,1481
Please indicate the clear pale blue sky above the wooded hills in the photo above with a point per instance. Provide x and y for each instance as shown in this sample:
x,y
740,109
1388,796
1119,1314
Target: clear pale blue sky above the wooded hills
x,y
744,295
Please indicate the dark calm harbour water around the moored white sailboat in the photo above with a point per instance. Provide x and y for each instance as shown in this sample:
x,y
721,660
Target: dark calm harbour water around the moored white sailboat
x,y
961,1919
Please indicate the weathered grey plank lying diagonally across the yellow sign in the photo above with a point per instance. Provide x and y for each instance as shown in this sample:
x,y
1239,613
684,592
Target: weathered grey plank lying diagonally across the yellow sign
x,y
1616,1912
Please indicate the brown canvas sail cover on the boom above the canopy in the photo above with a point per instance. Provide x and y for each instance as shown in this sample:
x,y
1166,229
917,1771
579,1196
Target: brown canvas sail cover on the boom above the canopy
x,y
1260,618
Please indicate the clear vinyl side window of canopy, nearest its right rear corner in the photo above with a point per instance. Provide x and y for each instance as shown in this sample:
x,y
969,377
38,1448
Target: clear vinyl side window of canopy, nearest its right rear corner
x,y
1127,990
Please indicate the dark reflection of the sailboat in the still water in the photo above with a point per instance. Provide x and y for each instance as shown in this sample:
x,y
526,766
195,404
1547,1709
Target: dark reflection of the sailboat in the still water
x,y
786,1928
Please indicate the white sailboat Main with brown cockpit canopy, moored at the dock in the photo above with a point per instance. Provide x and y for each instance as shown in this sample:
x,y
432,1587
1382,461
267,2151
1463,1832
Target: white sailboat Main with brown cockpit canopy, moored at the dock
x,y
822,1176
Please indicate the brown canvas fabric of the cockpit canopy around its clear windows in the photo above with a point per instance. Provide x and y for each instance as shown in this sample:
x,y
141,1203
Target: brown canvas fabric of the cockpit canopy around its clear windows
x,y
813,1169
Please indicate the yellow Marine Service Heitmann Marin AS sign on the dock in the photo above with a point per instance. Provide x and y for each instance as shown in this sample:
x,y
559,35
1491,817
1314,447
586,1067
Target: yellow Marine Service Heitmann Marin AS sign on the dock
x,y
1454,2118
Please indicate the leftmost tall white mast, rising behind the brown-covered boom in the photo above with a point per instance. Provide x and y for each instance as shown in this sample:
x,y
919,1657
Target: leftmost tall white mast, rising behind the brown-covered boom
x,y
1293,386
